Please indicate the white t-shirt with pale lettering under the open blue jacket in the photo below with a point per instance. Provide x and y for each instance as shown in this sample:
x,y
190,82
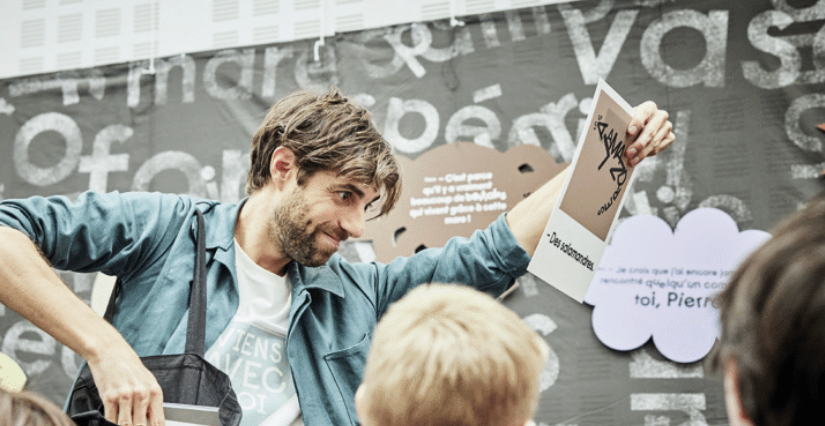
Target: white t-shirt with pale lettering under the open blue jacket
x,y
252,348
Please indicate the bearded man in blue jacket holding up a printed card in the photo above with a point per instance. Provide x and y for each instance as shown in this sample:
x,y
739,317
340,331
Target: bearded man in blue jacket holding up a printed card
x,y
319,170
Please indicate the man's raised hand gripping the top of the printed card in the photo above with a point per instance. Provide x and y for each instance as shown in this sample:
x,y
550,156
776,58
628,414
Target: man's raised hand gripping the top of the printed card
x,y
653,131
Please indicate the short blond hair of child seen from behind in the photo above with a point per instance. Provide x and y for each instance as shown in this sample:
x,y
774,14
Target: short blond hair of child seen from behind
x,y
450,355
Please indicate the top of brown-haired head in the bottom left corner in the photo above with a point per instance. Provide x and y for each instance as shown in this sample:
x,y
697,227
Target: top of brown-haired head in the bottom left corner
x,y
29,409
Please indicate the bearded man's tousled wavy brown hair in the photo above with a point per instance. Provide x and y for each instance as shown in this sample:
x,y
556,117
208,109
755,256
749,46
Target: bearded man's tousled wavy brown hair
x,y
327,132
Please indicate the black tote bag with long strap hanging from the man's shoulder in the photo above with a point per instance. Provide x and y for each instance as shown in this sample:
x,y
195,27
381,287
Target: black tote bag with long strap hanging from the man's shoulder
x,y
185,378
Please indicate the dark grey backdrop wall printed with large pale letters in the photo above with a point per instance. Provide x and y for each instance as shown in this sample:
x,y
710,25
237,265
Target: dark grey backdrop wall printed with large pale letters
x,y
742,81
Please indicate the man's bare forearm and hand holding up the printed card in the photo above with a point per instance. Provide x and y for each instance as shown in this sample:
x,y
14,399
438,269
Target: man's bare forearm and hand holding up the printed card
x,y
529,217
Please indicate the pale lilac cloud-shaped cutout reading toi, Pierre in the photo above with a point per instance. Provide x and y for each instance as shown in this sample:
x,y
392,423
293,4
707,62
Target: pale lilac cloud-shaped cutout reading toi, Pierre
x,y
654,282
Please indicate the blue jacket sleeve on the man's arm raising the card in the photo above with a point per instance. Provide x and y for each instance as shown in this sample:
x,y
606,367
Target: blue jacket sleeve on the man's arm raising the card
x,y
490,260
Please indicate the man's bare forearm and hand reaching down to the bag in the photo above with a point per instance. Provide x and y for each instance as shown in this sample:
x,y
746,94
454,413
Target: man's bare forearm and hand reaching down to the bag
x,y
30,287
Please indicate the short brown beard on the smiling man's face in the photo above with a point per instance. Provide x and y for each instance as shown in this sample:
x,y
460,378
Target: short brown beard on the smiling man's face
x,y
289,227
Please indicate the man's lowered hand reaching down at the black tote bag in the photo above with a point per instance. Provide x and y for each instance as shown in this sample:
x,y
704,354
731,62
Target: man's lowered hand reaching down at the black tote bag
x,y
130,393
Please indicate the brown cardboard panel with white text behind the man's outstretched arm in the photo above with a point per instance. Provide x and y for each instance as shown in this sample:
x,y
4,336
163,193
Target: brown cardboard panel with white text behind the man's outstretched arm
x,y
454,189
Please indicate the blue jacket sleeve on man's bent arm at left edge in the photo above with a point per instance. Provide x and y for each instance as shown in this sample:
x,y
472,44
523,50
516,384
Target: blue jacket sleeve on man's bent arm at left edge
x,y
114,233
